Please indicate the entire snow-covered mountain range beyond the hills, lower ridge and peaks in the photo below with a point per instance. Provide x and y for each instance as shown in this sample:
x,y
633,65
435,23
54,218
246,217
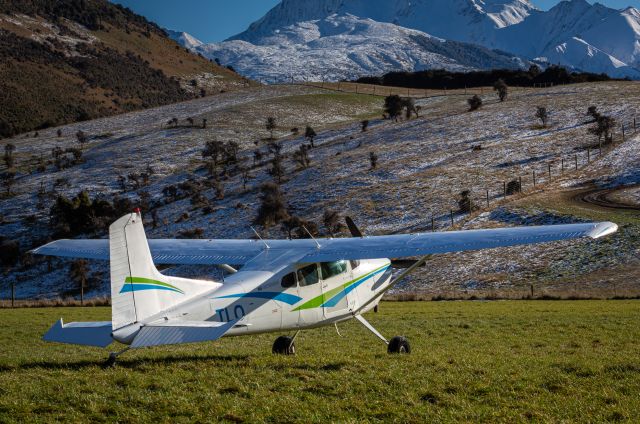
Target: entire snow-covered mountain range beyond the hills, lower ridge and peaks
x,y
338,39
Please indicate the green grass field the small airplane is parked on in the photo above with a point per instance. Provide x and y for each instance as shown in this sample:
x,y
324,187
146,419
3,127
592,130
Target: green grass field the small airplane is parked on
x,y
571,361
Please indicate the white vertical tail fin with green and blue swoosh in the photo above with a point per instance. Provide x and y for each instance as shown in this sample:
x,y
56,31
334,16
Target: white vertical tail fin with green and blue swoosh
x,y
138,289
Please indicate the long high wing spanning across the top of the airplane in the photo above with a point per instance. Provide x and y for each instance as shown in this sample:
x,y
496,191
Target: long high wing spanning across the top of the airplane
x,y
240,252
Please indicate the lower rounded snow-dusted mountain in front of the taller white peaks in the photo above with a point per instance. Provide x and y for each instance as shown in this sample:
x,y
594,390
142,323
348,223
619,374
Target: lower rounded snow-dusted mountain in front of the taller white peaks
x,y
346,46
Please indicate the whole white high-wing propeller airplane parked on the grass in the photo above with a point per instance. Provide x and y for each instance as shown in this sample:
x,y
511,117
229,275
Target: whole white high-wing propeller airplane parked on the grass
x,y
281,285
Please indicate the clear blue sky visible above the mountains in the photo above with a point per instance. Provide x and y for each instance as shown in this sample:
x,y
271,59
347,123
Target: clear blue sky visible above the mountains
x,y
216,20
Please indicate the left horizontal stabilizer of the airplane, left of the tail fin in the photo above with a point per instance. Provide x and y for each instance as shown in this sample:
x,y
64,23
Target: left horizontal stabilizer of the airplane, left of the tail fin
x,y
81,333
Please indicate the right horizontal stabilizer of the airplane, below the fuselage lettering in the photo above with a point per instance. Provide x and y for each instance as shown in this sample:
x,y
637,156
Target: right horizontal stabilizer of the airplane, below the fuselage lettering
x,y
180,332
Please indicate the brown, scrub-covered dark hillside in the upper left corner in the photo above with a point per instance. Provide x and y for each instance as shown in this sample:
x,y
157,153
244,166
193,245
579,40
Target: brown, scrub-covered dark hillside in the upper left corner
x,y
66,61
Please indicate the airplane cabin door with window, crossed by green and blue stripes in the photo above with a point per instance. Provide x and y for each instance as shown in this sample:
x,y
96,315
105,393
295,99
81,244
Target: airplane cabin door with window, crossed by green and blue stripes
x,y
335,276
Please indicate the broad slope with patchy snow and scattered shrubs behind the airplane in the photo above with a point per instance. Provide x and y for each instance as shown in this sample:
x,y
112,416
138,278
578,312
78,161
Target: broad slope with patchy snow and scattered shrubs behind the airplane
x,y
423,165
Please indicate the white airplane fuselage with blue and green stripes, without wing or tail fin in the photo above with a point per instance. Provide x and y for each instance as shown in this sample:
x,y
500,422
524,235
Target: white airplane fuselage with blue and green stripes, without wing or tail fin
x,y
297,297
